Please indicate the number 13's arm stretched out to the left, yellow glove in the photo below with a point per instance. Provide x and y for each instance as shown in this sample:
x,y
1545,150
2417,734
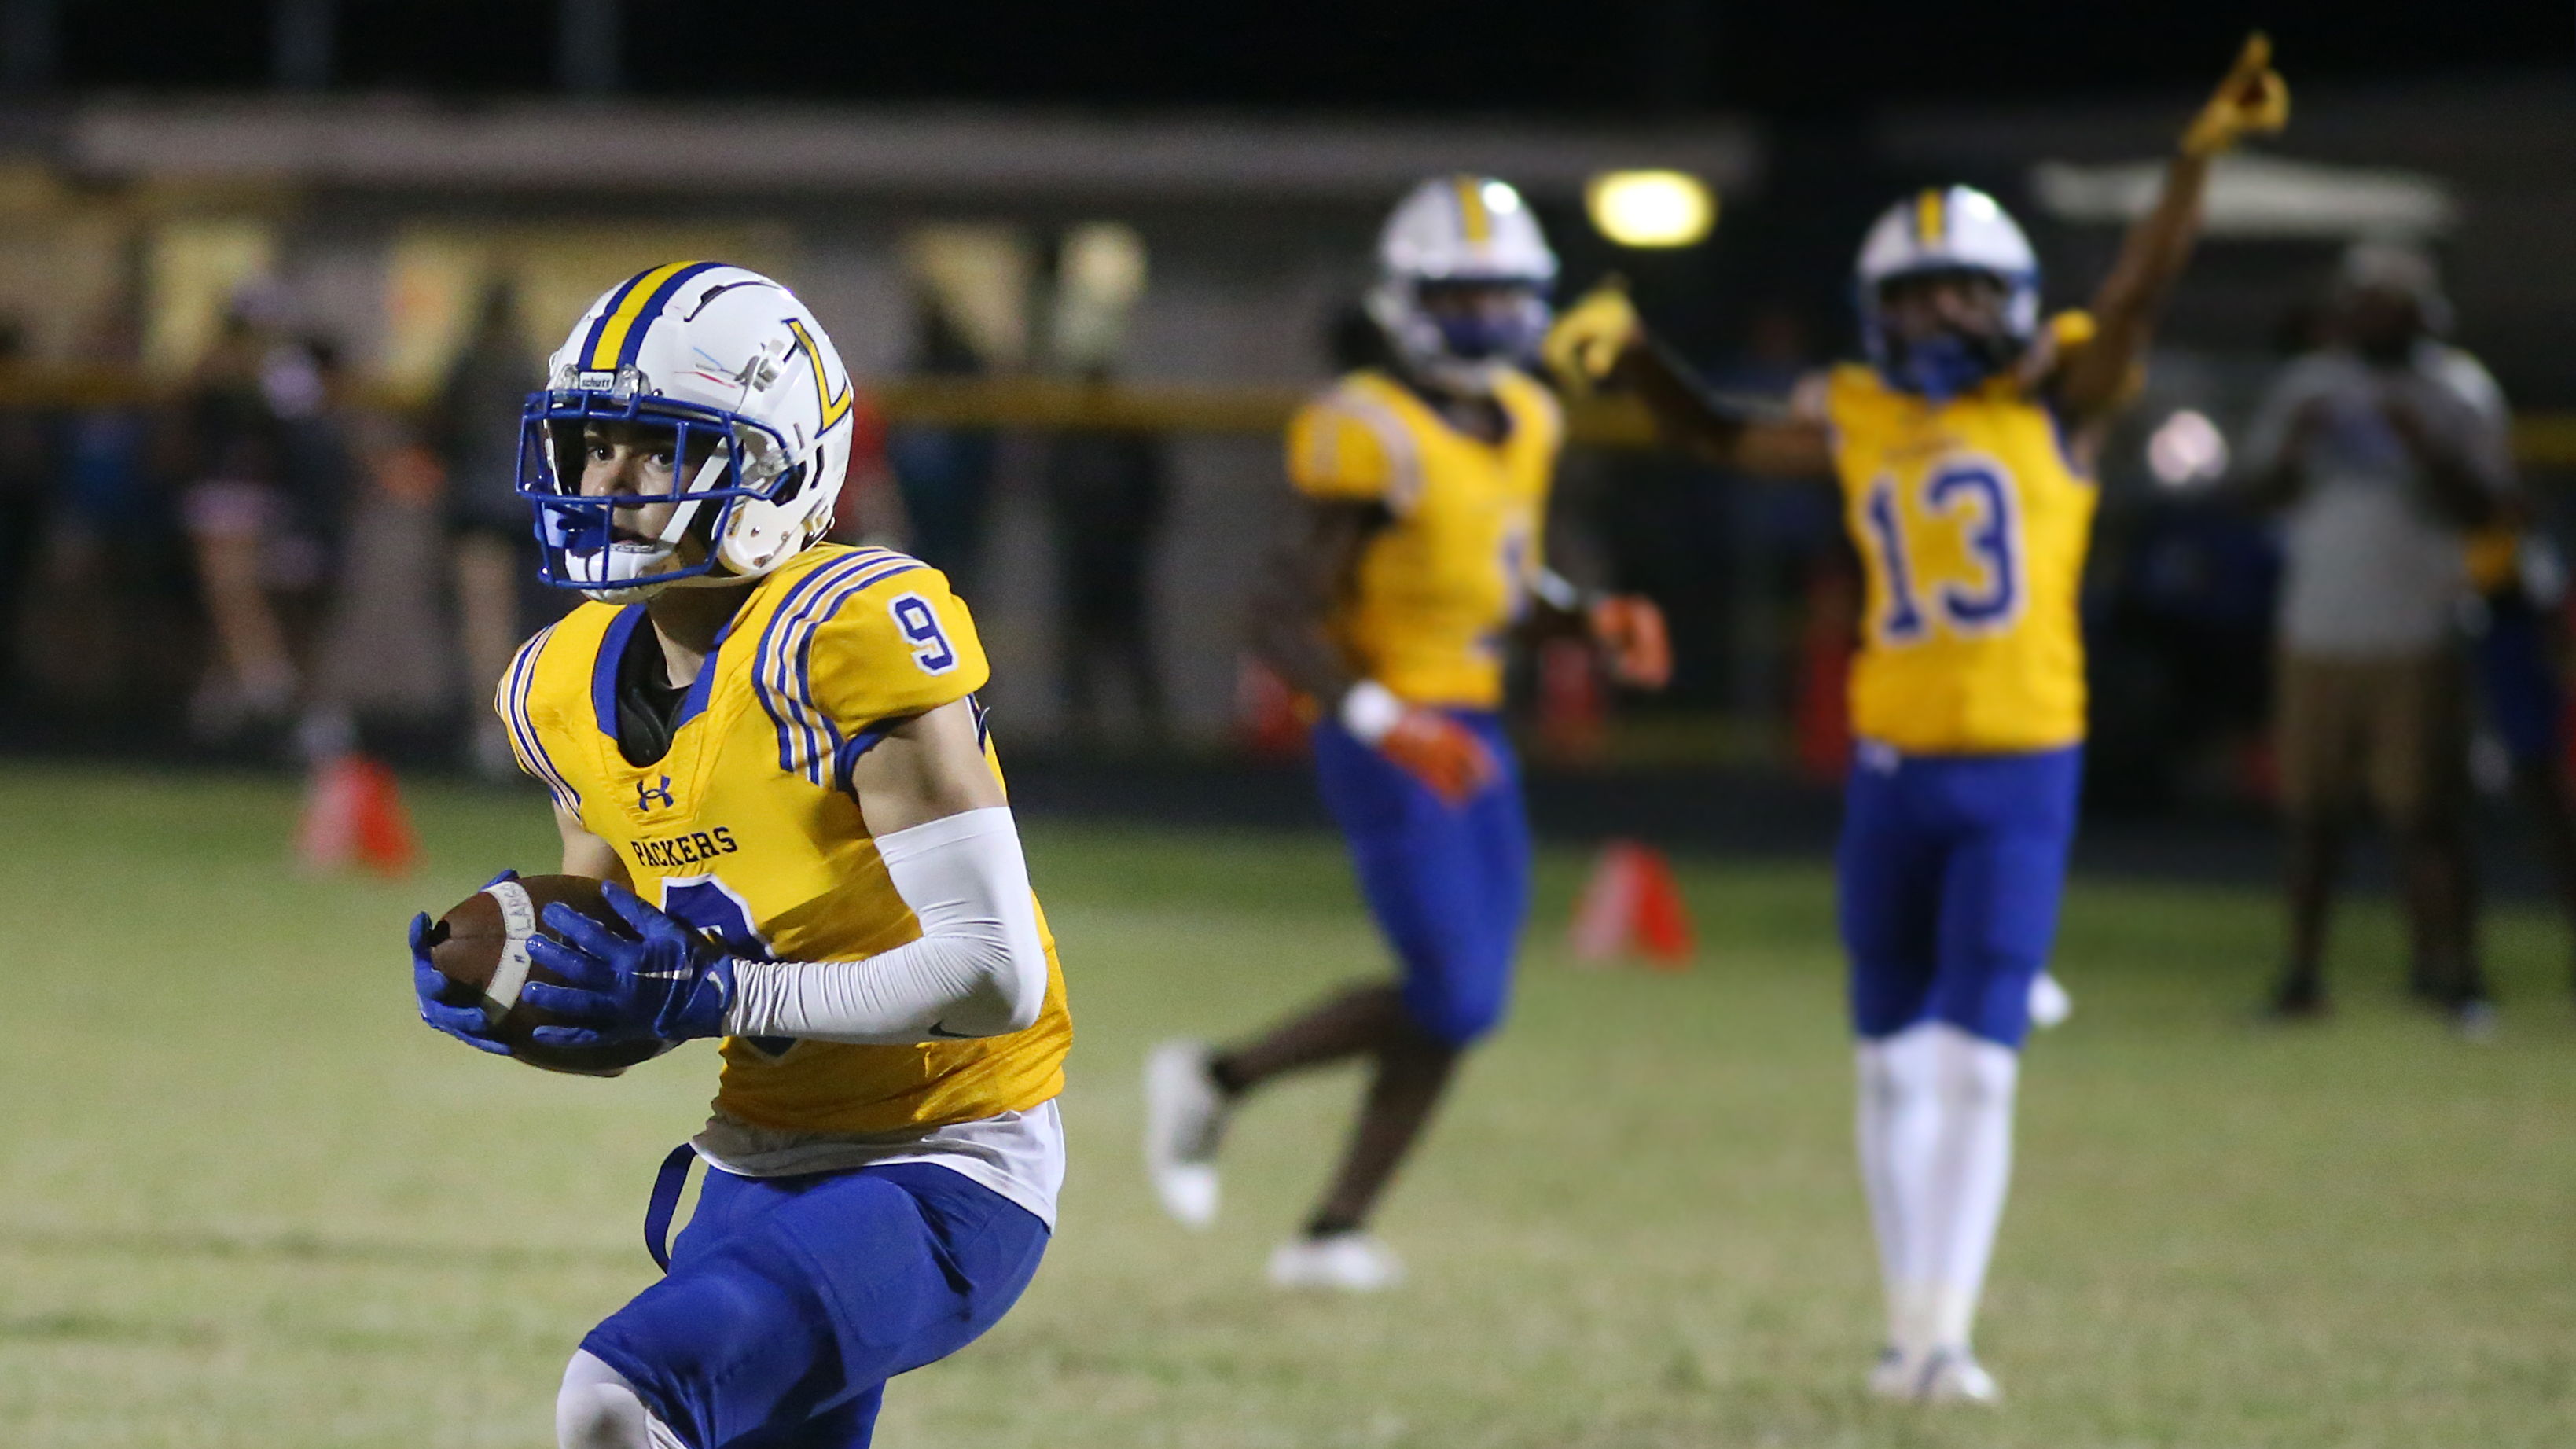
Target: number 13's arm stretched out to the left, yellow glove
x,y
1601,339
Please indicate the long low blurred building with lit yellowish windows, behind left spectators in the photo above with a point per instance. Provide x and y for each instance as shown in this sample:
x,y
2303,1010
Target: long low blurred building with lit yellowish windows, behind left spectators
x,y
385,223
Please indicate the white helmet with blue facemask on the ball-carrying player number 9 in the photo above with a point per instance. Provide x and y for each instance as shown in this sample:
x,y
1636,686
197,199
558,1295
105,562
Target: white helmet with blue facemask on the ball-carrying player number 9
x,y
743,373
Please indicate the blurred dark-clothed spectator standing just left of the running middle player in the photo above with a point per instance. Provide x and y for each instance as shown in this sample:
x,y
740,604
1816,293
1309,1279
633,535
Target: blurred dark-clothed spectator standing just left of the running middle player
x,y
1106,504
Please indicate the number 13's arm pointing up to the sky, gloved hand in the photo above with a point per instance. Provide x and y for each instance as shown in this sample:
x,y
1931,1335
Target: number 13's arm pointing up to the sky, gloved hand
x,y
2098,375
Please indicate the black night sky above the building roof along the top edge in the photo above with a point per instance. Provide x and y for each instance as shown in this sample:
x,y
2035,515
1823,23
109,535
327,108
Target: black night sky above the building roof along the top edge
x,y
1627,58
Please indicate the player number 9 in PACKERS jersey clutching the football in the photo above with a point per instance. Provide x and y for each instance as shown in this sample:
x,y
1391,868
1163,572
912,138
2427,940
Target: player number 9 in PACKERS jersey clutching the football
x,y
772,754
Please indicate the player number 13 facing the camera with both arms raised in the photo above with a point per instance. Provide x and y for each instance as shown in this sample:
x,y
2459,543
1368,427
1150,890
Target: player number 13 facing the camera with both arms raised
x,y
1964,450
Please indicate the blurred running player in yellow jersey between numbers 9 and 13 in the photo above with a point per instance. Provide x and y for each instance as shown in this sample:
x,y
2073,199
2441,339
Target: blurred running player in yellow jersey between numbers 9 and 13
x,y
1413,561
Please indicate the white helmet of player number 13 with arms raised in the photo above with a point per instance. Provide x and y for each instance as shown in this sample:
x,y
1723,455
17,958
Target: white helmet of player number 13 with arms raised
x,y
1954,228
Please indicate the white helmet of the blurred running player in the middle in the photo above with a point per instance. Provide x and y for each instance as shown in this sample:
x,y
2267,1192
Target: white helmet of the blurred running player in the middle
x,y
1462,231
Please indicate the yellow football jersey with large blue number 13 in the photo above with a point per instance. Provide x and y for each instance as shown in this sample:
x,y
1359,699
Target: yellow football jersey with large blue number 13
x,y
1972,527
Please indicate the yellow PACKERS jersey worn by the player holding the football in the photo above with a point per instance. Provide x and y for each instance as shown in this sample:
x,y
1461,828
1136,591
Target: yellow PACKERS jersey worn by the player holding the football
x,y
748,826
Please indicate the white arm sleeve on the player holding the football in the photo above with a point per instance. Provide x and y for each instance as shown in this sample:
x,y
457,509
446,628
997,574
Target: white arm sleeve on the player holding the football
x,y
978,971
